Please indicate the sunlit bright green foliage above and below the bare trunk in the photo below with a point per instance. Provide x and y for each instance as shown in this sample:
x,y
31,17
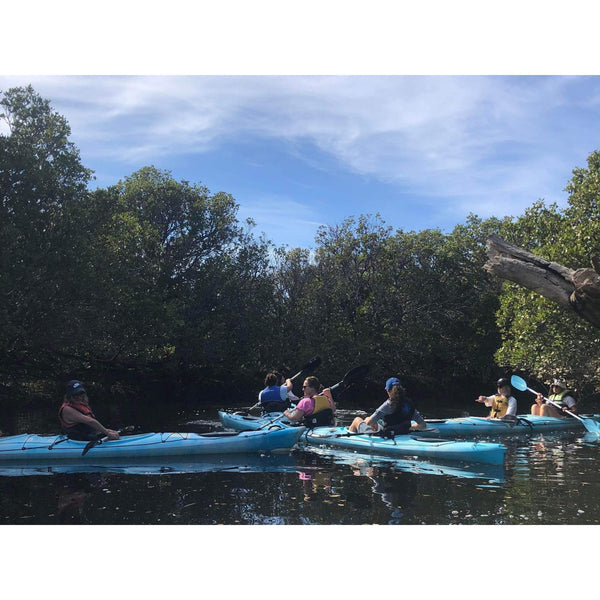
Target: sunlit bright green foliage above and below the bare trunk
x,y
539,337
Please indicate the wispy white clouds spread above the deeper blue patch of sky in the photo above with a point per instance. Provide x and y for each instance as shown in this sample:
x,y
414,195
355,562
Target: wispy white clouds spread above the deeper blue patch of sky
x,y
464,142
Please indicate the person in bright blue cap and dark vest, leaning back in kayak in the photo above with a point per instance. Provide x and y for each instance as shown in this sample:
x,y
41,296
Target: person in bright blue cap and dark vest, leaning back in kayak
x,y
394,416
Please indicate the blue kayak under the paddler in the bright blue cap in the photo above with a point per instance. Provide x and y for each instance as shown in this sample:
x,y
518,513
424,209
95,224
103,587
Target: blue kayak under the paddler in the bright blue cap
x,y
406,445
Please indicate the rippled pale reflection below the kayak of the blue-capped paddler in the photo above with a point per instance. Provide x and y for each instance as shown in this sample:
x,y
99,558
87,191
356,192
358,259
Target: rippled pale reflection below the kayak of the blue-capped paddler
x,y
362,463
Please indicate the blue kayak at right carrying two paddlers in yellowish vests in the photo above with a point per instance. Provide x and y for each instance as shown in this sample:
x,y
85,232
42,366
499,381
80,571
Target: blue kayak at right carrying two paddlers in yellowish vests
x,y
474,426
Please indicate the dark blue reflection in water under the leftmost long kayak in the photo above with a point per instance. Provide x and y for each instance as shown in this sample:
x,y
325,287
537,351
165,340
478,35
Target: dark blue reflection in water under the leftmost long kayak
x,y
250,463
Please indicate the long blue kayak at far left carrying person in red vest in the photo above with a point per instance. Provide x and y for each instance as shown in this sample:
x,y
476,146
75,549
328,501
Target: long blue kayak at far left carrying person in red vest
x,y
49,448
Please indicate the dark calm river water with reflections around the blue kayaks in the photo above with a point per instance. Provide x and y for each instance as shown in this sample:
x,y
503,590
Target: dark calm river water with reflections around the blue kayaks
x,y
546,480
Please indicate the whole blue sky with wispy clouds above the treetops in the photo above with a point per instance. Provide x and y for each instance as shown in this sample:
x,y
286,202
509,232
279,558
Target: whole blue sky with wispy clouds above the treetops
x,y
299,151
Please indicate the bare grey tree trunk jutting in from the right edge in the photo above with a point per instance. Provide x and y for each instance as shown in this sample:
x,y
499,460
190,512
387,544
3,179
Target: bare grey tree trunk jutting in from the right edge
x,y
576,290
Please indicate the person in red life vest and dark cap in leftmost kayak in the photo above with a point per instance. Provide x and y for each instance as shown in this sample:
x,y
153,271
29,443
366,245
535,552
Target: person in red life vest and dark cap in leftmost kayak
x,y
76,416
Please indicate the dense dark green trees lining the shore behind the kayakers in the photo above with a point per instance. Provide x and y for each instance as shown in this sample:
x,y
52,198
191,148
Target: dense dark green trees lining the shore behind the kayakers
x,y
155,284
